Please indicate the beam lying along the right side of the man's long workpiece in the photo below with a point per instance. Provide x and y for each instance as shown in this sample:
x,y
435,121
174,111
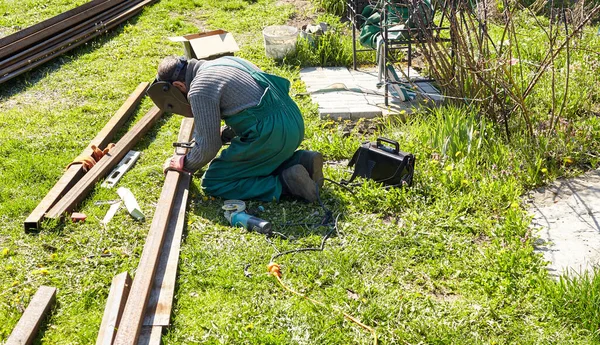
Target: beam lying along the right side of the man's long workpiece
x,y
160,303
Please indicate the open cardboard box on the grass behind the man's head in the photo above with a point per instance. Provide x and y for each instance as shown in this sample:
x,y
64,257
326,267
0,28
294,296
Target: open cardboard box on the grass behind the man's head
x,y
207,45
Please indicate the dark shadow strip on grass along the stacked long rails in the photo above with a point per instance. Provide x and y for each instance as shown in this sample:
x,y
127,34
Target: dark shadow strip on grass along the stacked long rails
x,y
28,79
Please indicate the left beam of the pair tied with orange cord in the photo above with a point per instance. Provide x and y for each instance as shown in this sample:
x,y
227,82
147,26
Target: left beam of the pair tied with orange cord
x,y
75,172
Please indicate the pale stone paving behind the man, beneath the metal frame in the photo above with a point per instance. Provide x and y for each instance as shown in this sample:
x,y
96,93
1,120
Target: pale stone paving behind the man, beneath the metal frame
x,y
354,105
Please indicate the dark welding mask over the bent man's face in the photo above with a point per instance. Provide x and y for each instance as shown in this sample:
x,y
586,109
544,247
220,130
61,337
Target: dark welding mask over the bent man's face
x,y
168,97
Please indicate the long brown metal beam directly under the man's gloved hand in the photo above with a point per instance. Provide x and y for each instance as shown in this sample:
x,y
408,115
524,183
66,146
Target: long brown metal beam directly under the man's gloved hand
x,y
129,329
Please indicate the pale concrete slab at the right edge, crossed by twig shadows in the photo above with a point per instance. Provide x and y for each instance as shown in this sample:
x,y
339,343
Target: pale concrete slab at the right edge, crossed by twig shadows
x,y
567,219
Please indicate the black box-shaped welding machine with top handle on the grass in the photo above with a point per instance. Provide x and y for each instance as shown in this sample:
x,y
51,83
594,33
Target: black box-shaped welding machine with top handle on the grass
x,y
382,163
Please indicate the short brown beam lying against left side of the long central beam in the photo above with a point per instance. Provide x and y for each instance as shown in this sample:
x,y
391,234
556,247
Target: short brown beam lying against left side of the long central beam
x,y
119,291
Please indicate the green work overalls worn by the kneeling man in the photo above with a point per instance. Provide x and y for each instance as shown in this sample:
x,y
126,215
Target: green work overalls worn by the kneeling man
x,y
268,136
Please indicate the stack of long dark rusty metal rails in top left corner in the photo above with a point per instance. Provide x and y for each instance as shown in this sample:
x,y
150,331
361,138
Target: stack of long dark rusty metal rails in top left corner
x,y
33,46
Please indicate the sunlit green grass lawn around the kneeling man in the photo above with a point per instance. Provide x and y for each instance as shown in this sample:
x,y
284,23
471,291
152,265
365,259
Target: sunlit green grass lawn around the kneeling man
x,y
447,261
